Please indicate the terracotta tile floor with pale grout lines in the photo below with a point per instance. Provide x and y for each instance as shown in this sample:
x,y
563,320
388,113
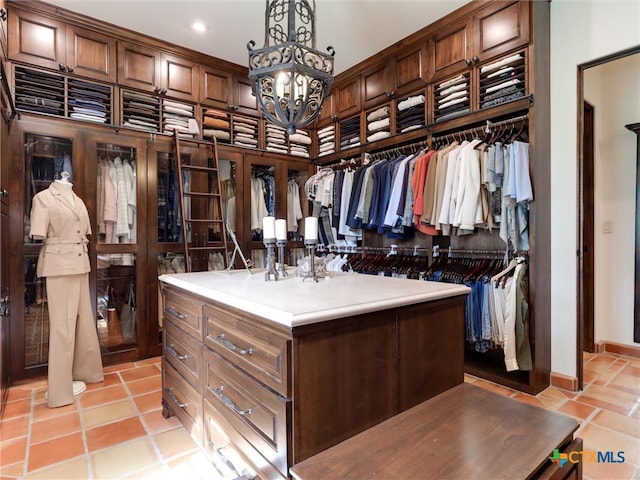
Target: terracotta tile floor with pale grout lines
x,y
116,429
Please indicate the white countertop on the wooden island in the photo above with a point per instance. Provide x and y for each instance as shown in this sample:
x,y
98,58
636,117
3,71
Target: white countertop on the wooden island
x,y
292,302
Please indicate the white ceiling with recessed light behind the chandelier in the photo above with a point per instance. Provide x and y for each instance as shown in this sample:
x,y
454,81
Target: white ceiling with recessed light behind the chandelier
x,y
356,29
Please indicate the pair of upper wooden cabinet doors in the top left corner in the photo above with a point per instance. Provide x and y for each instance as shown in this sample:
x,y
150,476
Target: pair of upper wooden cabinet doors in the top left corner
x,y
50,43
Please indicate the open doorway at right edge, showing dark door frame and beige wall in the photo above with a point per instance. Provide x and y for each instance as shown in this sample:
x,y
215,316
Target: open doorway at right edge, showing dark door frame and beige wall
x,y
601,304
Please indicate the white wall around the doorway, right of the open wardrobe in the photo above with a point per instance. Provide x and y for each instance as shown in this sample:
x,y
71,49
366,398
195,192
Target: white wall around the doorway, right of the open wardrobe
x,y
581,31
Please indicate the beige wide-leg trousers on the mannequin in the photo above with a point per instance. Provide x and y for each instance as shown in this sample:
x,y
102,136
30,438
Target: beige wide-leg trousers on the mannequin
x,y
74,351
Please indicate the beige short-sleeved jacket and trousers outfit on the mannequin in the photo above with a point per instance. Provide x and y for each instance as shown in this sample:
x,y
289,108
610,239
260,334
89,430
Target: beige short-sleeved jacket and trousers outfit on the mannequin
x,y
60,217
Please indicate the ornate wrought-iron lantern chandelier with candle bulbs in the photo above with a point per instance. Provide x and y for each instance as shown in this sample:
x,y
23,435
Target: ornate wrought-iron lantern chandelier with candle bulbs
x,y
289,77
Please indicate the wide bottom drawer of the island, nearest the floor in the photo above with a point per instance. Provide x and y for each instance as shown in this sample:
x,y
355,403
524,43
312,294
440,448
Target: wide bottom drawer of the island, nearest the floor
x,y
225,444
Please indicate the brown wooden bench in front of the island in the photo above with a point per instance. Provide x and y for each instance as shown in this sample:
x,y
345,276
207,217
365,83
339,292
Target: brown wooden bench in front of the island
x,y
465,433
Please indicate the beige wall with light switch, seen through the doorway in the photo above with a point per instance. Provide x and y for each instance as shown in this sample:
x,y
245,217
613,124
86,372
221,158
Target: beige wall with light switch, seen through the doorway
x,y
613,89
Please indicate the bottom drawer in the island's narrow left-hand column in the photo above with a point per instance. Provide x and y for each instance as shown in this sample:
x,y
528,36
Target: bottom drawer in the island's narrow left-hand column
x,y
183,400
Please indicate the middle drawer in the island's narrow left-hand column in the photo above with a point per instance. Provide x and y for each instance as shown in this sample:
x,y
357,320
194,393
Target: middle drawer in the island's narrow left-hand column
x,y
184,353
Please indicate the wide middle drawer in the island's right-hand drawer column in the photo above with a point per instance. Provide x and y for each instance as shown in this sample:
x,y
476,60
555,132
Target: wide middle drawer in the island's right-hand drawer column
x,y
257,413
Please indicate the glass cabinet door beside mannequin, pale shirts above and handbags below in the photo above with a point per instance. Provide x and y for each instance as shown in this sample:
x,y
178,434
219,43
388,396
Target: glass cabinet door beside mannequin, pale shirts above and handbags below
x,y
115,206
